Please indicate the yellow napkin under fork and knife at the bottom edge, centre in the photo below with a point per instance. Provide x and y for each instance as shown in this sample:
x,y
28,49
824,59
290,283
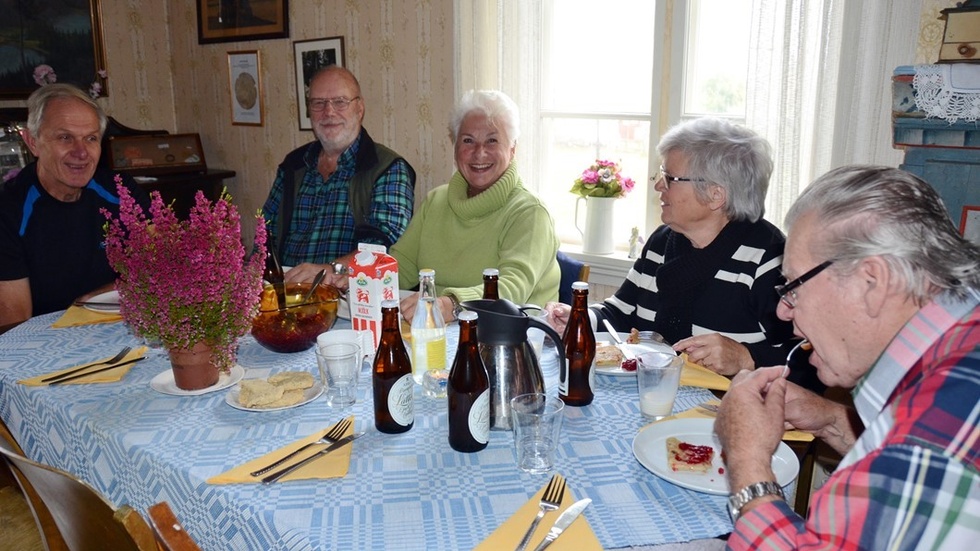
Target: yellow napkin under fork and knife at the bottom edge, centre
x,y
577,537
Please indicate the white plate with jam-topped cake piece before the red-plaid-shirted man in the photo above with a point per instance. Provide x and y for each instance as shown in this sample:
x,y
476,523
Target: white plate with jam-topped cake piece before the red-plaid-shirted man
x,y
686,452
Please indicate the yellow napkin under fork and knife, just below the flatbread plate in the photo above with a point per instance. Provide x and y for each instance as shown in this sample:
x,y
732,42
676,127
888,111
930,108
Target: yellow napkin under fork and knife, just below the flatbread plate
x,y
332,465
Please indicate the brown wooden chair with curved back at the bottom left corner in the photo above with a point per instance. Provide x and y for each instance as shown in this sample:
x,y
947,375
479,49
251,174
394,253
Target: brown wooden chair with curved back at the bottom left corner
x,y
81,519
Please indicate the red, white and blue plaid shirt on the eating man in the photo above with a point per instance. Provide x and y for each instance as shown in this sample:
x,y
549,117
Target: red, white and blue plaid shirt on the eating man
x,y
912,479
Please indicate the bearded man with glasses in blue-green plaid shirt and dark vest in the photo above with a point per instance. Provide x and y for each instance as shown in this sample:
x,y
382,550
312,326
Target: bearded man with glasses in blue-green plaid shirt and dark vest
x,y
339,190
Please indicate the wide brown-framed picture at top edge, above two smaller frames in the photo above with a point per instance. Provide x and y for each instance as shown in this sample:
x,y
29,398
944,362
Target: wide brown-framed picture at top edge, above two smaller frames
x,y
233,20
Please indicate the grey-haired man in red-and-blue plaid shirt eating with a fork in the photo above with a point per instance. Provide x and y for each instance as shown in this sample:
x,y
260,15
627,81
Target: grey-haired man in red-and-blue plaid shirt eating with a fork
x,y
887,292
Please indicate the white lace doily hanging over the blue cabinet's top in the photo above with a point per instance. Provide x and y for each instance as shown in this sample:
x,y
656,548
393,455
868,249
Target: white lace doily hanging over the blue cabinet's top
x,y
949,92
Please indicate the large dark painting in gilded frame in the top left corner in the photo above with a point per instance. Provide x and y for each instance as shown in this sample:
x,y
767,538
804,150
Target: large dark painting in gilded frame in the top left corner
x,y
64,35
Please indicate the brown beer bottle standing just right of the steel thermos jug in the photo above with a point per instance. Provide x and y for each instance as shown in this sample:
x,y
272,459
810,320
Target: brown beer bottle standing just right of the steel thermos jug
x,y
576,376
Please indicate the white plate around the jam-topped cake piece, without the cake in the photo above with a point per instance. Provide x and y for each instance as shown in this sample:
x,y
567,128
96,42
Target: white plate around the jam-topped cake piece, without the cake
x,y
650,449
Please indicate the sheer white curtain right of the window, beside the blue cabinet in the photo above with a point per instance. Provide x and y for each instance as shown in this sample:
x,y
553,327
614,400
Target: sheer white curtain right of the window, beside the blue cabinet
x,y
820,85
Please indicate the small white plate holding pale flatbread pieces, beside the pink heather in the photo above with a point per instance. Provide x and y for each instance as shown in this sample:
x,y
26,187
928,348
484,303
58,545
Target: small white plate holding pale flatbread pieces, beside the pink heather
x,y
283,390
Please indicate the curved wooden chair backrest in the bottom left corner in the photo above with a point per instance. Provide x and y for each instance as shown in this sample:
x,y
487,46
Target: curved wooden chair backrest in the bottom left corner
x,y
83,518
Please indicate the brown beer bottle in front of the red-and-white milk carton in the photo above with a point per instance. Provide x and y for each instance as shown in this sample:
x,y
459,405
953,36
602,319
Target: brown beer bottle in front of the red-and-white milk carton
x,y
391,376
